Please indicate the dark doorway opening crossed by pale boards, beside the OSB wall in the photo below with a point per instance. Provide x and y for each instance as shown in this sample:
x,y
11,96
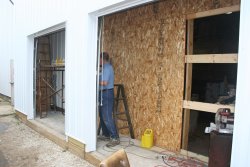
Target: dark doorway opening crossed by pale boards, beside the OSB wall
x,y
213,81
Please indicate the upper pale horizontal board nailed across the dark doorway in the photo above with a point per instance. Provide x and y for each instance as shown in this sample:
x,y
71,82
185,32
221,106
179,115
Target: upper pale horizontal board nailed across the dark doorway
x,y
212,58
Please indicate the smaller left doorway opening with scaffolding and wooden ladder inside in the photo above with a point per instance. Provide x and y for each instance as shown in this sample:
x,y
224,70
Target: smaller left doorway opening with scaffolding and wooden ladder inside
x,y
49,56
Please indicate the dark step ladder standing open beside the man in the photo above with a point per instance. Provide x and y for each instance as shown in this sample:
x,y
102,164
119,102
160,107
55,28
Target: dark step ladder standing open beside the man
x,y
121,98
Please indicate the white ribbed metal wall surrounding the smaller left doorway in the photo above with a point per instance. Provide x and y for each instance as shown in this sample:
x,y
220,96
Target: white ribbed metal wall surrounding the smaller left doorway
x,y
33,17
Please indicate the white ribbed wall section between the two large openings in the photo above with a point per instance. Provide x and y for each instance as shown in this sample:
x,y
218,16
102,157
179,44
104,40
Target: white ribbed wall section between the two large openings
x,y
81,75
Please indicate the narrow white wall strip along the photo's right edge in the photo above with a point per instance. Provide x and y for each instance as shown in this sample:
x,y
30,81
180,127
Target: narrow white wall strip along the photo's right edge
x,y
241,137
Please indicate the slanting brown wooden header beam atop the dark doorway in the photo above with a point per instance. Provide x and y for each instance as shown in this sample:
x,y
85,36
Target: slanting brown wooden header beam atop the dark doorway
x,y
213,12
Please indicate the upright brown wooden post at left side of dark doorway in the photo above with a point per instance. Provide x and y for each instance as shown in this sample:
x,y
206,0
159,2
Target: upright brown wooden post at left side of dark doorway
x,y
188,84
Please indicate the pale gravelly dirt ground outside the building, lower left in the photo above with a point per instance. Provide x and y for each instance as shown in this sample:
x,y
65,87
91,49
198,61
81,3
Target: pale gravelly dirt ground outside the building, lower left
x,y
21,146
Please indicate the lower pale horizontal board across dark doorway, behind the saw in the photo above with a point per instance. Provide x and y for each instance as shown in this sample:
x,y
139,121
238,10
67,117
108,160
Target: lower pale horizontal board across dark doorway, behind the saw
x,y
206,107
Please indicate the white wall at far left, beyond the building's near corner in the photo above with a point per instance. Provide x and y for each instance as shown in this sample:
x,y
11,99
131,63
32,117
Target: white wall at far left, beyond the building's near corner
x,y
6,45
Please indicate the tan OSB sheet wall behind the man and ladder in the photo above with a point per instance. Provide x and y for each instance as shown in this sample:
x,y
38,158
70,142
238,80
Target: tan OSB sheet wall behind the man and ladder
x,y
147,47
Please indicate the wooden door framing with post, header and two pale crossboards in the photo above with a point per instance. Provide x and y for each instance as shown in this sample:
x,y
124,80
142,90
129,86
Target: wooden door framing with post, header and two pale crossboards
x,y
191,58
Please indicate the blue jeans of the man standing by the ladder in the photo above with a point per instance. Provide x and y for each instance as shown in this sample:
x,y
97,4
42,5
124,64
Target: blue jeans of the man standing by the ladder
x,y
106,113
